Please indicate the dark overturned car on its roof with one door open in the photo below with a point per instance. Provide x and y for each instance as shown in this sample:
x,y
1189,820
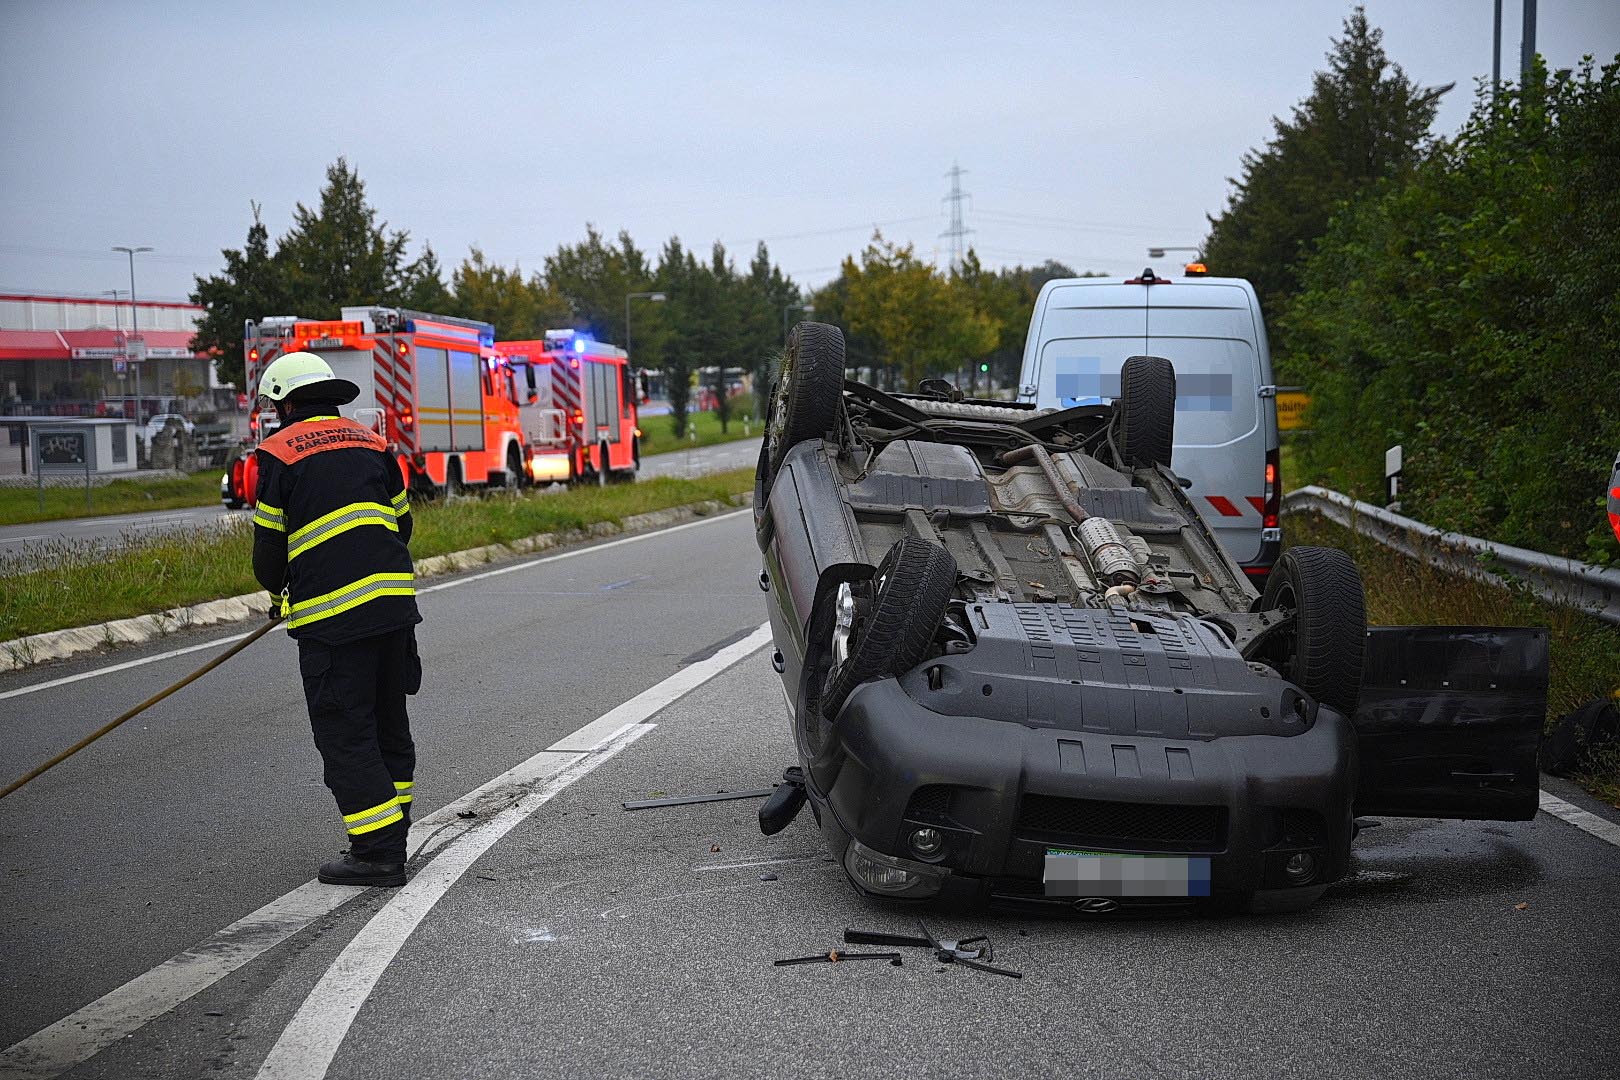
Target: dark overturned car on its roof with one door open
x,y
1020,668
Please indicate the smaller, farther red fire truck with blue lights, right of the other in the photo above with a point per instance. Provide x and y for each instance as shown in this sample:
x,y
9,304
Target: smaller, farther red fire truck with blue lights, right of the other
x,y
578,409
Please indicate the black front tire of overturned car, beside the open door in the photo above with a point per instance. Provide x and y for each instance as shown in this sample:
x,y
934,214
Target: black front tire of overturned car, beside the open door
x,y
1324,653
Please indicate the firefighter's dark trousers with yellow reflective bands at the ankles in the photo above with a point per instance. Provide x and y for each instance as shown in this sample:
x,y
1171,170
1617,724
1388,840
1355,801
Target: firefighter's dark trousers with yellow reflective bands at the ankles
x,y
357,710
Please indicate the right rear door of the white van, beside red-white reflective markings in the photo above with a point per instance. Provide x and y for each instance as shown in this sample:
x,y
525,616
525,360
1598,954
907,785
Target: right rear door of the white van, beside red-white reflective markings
x,y
1208,331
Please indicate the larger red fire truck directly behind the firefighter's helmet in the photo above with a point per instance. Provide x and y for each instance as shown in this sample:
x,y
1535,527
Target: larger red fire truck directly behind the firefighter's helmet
x,y
433,386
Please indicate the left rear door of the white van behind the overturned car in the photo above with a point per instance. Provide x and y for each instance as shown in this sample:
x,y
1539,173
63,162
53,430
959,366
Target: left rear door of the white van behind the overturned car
x,y
1085,336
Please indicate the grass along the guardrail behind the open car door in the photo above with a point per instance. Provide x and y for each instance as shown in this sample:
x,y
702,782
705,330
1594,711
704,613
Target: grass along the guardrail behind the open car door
x,y
1405,592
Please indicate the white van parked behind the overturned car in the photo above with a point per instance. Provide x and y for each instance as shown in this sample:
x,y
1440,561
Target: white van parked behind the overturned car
x,y
1211,330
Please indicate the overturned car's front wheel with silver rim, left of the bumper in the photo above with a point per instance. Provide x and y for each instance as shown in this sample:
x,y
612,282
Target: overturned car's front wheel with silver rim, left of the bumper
x,y
892,631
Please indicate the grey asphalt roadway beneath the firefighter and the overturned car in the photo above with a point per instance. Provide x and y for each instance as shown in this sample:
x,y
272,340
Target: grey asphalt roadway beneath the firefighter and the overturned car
x,y
553,933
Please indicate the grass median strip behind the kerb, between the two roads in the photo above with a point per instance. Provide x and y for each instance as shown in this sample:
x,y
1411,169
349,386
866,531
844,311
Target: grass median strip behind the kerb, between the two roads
x,y
88,585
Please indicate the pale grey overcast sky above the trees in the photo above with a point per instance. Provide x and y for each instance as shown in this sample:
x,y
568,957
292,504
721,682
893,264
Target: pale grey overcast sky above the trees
x,y
1089,132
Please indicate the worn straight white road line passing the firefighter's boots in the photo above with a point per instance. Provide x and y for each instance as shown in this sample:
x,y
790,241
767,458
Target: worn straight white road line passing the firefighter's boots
x,y
98,1026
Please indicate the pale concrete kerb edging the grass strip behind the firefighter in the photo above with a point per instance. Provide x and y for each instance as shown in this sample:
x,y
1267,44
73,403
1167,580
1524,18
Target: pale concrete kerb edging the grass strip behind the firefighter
x,y
61,645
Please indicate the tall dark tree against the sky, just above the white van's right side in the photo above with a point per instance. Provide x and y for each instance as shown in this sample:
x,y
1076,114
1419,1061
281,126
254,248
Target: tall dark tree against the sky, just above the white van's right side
x,y
1365,121
